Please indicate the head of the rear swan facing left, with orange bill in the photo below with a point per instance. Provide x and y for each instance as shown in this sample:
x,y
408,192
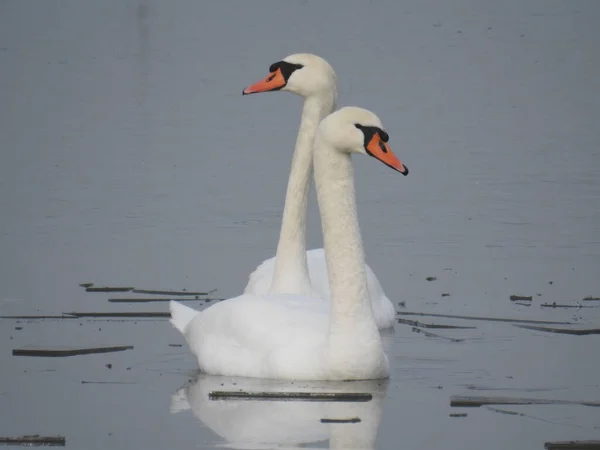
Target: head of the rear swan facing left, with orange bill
x,y
302,74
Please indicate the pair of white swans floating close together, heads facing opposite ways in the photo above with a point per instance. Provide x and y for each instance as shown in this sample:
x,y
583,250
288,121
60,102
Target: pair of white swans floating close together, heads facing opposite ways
x,y
281,327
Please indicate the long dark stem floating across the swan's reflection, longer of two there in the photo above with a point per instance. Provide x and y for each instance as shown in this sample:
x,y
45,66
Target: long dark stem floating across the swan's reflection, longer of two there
x,y
287,396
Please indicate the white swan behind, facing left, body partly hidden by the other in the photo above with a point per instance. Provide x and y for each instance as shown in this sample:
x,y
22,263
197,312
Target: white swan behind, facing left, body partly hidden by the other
x,y
293,269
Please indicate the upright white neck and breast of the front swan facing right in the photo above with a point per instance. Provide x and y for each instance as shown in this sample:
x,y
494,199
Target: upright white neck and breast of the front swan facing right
x,y
354,342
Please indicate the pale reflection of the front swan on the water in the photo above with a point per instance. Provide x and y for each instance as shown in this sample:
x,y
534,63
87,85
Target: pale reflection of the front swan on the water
x,y
253,424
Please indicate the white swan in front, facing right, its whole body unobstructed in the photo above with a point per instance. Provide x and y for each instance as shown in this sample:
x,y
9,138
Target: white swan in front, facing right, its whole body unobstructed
x,y
292,336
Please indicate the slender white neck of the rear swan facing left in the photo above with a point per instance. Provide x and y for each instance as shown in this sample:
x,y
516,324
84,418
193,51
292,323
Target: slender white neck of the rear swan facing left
x,y
291,268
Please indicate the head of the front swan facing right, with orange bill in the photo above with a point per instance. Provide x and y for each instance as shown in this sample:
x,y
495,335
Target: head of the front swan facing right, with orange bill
x,y
358,130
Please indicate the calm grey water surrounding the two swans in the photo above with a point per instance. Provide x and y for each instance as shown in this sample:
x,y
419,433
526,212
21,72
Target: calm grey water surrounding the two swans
x,y
129,157
